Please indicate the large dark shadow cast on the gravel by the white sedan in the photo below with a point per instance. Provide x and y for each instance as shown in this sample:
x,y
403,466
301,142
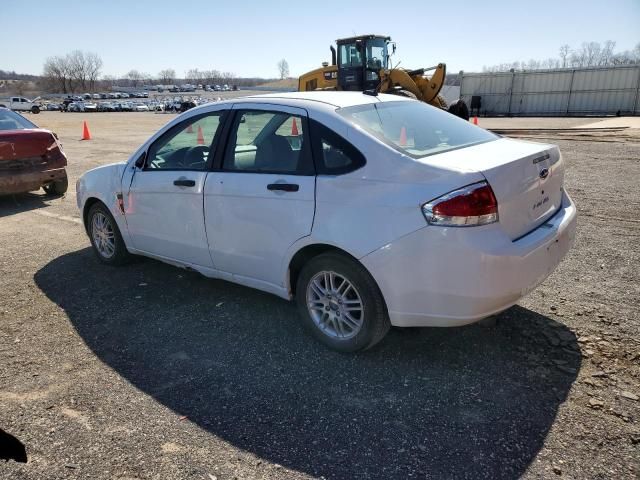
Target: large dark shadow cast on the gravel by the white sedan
x,y
439,403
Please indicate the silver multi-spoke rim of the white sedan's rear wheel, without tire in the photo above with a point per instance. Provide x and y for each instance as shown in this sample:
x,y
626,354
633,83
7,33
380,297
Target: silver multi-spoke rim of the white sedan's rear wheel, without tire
x,y
335,305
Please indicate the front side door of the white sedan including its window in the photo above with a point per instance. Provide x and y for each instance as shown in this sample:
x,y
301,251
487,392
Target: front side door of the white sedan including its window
x,y
164,206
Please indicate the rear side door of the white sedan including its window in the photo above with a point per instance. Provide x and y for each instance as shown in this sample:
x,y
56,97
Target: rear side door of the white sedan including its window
x,y
261,199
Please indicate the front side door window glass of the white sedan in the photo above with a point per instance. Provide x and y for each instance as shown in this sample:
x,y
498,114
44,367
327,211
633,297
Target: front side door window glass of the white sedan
x,y
185,147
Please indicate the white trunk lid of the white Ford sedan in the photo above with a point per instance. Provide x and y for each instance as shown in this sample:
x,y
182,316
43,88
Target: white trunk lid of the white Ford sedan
x,y
526,179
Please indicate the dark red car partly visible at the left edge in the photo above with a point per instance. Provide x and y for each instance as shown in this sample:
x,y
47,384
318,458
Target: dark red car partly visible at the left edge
x,y
30,157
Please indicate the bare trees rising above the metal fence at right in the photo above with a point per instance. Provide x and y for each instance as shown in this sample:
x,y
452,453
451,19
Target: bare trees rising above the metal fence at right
x,y
589,54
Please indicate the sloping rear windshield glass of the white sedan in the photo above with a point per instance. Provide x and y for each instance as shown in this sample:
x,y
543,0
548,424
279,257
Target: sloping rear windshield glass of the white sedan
x,y
415,128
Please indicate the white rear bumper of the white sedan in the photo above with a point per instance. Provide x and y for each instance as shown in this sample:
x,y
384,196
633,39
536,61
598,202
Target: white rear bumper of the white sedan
x,y
455,276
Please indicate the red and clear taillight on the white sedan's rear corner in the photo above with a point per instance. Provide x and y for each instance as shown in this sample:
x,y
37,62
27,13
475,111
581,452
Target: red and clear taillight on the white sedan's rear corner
x,y
466,207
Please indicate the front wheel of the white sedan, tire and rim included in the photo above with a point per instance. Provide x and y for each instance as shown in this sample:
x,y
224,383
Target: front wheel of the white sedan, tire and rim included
x,y
110,249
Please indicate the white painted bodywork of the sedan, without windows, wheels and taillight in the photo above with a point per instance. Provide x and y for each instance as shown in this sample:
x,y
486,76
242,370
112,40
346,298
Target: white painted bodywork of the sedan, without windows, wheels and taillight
x,y
428,275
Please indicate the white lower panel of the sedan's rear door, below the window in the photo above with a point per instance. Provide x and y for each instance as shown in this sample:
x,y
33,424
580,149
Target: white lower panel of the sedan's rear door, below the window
x,y
250,227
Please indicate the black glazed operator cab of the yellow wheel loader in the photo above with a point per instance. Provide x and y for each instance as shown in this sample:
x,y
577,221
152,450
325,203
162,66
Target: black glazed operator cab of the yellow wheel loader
x,y
360,60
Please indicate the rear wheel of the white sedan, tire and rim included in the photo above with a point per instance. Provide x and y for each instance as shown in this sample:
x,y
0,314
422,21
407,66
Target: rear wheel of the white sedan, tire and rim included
x,y
345,317
